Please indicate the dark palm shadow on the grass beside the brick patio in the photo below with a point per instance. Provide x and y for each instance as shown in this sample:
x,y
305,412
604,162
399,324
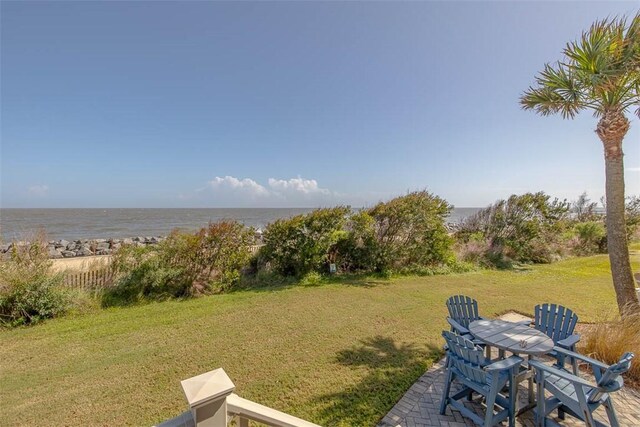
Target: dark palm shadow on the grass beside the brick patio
x,y
391,369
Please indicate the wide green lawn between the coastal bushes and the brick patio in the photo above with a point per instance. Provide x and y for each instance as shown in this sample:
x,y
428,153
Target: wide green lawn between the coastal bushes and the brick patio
x,y
336,354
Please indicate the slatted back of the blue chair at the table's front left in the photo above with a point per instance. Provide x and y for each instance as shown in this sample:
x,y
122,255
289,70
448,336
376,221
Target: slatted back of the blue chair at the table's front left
x,y
466,357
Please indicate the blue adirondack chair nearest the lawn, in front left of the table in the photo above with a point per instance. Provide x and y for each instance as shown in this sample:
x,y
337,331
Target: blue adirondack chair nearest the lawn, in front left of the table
x,y
467,364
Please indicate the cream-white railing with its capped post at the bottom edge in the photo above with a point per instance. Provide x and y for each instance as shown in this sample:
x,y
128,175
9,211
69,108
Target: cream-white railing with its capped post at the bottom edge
x,y
212,403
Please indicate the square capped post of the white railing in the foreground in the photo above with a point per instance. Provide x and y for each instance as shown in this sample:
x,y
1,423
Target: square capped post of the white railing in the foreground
x,y
207,397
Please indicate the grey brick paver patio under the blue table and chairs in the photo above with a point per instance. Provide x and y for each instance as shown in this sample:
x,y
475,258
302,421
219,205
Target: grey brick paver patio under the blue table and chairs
x,y
419,407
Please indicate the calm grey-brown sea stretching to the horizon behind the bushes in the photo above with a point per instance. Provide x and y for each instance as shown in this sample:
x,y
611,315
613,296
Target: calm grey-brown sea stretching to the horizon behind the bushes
x,y
118,223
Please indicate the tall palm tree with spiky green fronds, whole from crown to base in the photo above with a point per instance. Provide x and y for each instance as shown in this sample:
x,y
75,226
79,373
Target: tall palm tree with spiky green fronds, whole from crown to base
x,y
600,72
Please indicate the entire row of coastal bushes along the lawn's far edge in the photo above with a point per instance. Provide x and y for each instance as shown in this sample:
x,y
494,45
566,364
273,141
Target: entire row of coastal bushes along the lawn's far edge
x,y
406,235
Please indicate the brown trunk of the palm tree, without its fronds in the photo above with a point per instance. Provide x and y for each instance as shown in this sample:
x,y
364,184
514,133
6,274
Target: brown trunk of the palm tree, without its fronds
x,y
611,129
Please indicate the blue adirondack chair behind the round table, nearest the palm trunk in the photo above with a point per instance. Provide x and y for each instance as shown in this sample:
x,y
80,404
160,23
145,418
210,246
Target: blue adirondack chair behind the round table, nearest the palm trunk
x,y
558,323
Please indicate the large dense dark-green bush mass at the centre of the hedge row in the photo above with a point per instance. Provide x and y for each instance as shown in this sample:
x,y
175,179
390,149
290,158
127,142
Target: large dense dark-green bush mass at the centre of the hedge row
x,y
407,233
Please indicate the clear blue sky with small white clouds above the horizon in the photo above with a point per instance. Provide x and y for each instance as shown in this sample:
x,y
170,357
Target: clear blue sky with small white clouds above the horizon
x,y
211,104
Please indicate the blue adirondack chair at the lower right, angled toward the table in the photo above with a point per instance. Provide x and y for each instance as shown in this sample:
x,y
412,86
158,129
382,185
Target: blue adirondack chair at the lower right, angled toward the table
x,y
573,395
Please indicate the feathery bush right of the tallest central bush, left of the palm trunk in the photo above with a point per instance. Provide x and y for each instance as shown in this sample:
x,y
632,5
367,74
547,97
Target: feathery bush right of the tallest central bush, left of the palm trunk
x,y
523,228
